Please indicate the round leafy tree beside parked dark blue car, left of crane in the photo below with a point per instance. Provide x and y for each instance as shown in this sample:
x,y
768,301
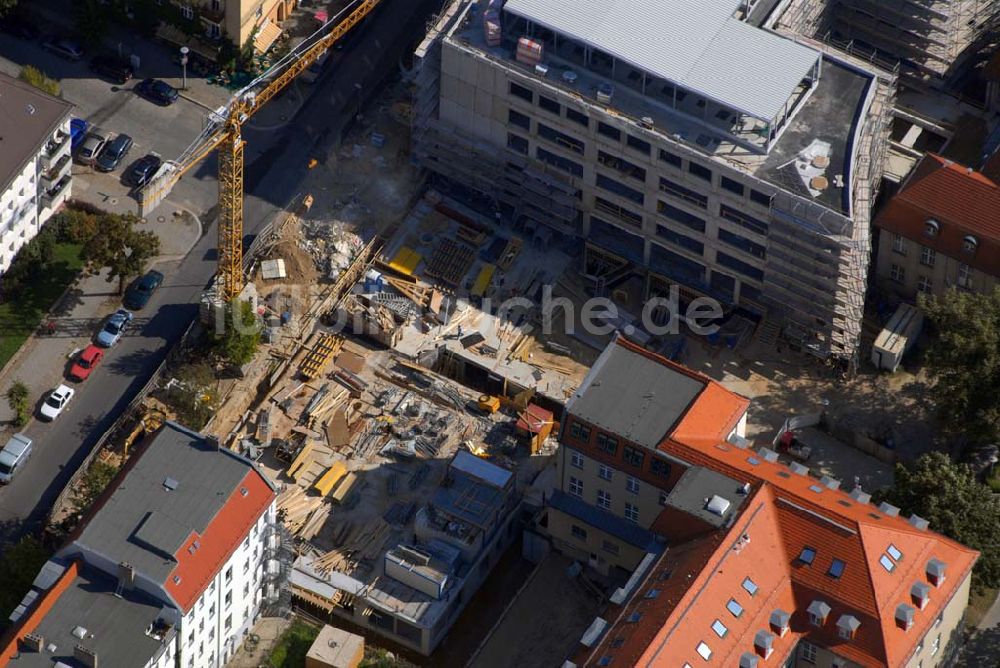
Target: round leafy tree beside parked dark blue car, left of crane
x,y
119,247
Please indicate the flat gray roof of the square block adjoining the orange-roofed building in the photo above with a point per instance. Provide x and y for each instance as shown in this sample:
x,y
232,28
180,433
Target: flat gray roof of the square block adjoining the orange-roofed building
x,y
628,394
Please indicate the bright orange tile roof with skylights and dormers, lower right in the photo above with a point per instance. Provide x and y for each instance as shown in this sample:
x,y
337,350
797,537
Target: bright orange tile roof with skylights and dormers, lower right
x,y
786,512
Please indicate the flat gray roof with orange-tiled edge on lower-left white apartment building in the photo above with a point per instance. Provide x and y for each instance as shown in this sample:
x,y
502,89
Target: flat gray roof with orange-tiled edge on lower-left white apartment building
x,y
142,522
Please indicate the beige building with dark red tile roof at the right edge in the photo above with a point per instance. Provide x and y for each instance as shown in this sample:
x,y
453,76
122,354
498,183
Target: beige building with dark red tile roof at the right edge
x,y
940,231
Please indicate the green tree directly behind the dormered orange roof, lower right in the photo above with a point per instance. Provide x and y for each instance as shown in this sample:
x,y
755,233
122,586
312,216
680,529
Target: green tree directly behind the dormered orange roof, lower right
x,y
956,504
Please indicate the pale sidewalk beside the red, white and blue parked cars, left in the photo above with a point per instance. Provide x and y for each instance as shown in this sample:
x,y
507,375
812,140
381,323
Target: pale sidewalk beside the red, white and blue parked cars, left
x,y
42,362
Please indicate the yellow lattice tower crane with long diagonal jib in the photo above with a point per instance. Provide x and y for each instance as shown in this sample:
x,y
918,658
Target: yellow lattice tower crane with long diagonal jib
x,y
223,131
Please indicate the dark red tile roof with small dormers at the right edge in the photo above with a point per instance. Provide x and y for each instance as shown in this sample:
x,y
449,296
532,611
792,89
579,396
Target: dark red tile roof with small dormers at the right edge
x,y
962,200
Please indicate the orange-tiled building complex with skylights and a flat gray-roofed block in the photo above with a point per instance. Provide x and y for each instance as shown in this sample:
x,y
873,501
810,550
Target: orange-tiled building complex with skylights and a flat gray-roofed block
x,y
730,557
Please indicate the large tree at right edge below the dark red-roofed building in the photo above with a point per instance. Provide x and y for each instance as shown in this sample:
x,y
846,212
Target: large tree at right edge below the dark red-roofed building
x,y
964,361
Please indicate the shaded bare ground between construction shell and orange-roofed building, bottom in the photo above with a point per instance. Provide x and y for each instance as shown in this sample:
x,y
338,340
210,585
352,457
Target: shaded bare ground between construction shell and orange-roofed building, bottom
x,y
544,623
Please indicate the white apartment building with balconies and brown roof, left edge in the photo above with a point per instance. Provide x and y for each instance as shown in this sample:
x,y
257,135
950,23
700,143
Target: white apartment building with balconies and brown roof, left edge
x,y
35,163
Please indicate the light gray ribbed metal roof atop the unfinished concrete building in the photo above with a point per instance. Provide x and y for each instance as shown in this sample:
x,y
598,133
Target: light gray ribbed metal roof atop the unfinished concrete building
x,y
694,43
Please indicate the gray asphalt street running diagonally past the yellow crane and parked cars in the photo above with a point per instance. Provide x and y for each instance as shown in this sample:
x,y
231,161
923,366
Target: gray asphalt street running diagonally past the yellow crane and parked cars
x,y
285,144
